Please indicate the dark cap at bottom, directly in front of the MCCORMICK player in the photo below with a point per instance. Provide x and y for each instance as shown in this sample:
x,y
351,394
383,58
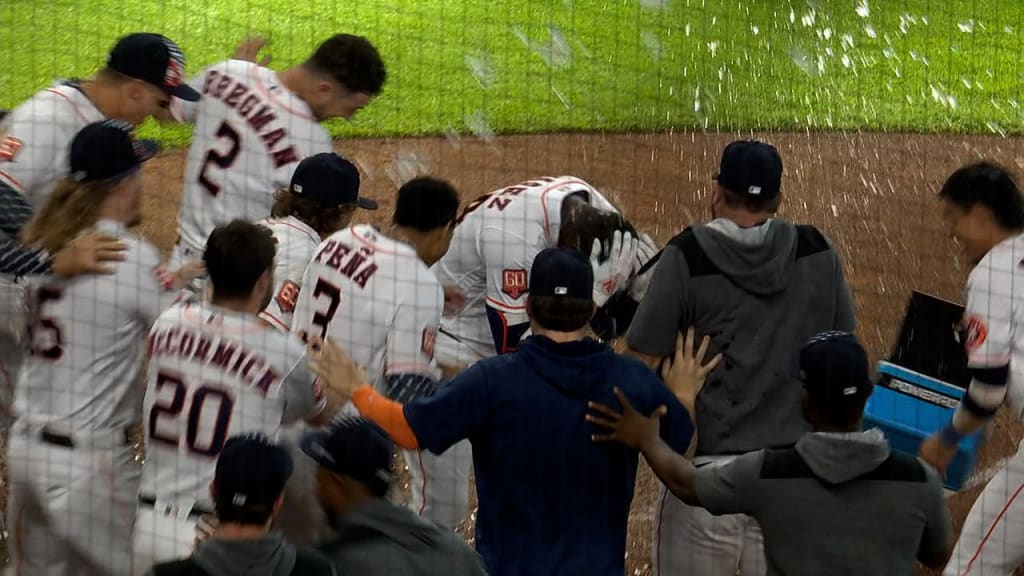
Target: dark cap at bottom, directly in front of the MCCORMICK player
x,y
251,472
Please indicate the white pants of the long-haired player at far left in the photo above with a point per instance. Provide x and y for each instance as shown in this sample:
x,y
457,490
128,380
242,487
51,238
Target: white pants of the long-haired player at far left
x,y
72,508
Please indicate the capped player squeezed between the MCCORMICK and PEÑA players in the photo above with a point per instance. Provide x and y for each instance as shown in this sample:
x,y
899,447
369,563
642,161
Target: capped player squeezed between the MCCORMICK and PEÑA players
x,y
321,199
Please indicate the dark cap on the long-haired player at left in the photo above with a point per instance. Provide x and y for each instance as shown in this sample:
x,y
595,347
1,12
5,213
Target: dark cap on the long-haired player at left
x,y
107,150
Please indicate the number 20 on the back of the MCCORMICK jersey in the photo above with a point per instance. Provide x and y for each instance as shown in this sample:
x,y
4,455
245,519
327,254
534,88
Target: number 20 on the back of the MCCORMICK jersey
x,y
173,410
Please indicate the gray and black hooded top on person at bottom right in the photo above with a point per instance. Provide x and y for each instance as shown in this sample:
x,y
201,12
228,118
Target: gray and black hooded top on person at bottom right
x,y
835,504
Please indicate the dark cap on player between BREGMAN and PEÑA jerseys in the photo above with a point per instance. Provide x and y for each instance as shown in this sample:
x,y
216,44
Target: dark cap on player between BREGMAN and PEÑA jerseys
x,y
330,180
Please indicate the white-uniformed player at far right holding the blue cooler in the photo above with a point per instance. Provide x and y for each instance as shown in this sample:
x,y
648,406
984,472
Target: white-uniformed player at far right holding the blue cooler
x,y
985,211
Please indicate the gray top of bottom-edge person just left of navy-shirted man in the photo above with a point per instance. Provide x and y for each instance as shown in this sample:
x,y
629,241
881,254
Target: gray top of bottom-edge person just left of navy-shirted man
x,y
379,539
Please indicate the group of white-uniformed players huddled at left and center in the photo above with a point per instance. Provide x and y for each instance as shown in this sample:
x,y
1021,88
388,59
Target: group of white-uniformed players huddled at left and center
x,y
426,297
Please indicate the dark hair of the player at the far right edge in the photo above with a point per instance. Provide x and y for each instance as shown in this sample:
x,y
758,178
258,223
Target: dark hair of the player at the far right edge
x,y
993,187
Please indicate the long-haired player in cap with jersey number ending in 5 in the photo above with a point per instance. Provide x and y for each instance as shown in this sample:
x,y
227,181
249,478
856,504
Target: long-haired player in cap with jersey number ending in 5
x,y
72,467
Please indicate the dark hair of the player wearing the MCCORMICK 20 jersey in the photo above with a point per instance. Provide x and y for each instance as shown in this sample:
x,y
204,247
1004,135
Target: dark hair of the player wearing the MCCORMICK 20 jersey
x,y
237,255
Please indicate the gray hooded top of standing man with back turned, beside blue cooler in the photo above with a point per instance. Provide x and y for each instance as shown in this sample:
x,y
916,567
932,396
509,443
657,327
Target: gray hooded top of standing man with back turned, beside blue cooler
x,y
760,294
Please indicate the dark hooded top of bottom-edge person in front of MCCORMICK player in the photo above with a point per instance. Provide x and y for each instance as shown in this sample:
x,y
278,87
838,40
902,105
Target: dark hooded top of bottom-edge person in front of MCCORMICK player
x,y
270,556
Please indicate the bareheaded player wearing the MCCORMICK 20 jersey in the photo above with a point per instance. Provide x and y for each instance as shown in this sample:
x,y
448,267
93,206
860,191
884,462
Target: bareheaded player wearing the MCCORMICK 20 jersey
x,y
216,372
